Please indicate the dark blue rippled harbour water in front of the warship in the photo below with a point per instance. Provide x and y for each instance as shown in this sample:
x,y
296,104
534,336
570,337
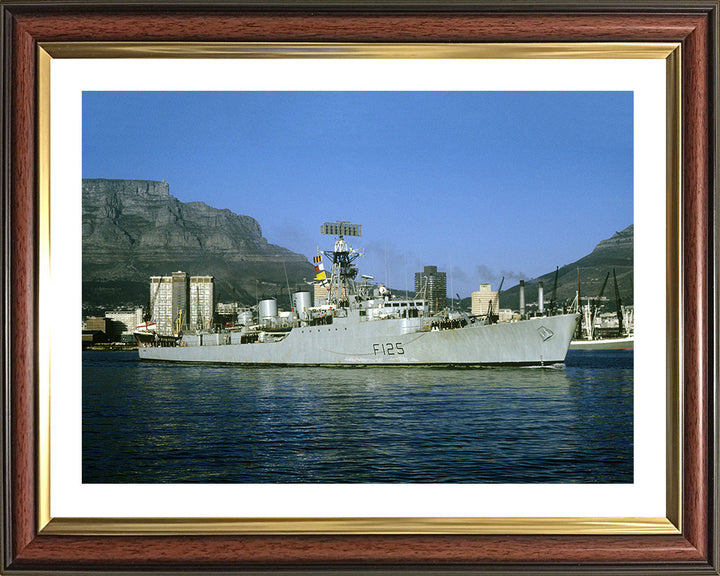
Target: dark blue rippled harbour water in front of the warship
x,y
150,423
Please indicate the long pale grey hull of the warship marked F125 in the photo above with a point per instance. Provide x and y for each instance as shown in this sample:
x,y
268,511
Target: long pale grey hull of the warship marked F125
x,y
350,341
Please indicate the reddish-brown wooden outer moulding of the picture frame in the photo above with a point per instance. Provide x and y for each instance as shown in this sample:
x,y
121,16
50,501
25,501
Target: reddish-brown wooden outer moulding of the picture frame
x,y
30,548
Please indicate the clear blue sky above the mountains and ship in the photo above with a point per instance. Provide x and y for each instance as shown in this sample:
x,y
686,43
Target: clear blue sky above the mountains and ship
x,y
480,184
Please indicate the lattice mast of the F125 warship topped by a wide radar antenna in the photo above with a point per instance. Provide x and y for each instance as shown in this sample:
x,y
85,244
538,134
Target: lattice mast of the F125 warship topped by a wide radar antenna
x,y
341,290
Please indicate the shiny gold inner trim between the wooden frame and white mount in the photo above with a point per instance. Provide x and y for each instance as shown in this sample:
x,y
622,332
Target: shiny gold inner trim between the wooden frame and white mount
x,y
436,525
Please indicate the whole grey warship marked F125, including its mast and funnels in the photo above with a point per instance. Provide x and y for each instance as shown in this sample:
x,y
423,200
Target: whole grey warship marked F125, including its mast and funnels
x,y
363,324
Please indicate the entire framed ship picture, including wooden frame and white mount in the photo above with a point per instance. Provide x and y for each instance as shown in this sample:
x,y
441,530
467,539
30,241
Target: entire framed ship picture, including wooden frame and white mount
x,y
619,101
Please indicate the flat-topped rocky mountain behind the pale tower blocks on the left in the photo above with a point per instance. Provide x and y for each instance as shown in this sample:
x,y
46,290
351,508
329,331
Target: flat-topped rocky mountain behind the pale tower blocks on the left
x,y
134,229
